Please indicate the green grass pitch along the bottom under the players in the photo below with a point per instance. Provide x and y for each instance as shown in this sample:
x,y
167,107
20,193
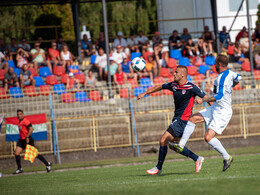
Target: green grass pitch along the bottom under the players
x,y
178,177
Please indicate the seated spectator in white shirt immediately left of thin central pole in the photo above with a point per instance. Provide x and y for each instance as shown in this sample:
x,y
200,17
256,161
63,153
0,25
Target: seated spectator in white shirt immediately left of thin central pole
x,y
101,62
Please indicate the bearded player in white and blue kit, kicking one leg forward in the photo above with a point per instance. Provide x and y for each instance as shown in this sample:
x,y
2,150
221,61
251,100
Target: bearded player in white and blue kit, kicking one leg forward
x,y
218,115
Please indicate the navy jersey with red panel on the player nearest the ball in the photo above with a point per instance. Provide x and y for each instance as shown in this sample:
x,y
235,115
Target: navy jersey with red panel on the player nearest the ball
x,y
183,96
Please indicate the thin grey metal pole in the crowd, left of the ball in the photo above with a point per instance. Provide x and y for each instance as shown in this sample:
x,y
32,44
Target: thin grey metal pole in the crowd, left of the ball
x,y
106,40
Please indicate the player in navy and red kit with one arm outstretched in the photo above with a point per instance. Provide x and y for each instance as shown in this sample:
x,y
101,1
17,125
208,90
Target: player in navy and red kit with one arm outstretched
x,y
184,94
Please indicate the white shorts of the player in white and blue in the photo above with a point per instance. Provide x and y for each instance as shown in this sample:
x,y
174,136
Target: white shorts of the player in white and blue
x,y
216,118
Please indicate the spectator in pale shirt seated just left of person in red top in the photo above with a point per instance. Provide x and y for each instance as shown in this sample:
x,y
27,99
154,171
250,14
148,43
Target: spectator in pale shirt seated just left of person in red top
x,y
38,57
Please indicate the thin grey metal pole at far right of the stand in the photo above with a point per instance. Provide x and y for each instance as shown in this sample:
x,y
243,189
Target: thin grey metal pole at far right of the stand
x,y
250,43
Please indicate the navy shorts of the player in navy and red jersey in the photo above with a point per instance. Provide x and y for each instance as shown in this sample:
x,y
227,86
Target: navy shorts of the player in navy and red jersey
x,y
177,127
